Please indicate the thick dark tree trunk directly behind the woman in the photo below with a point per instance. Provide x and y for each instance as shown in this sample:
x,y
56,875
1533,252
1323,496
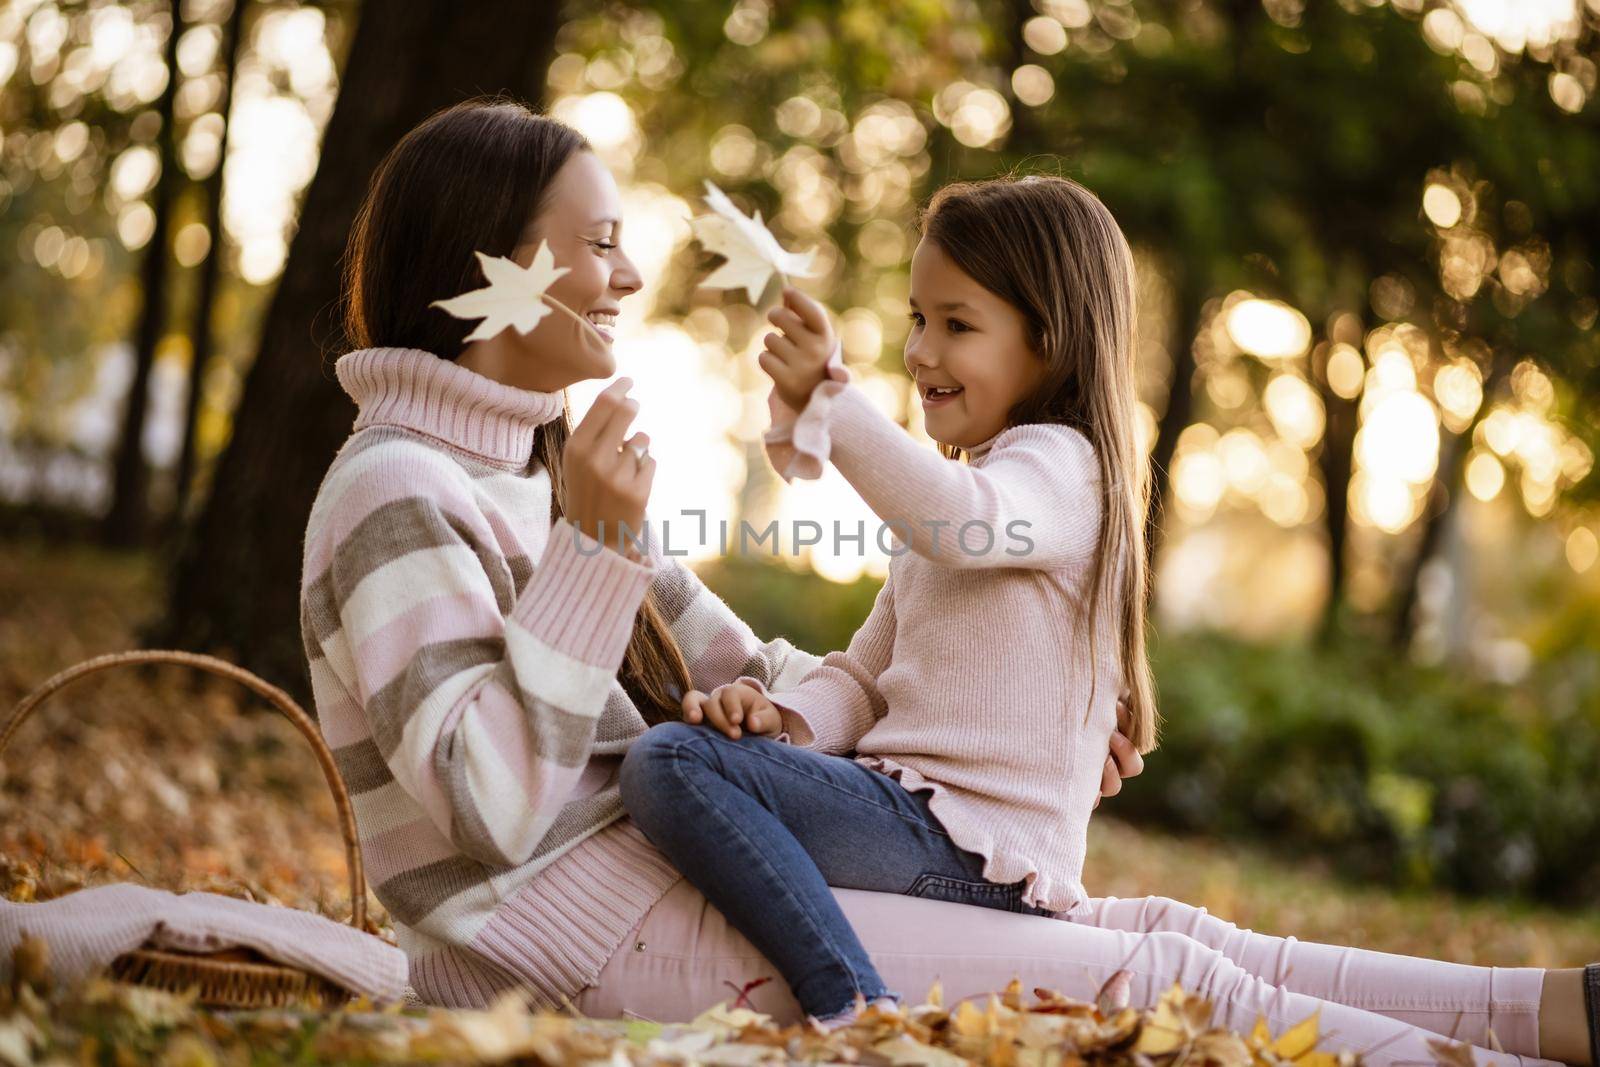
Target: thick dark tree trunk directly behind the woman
x,y
236,586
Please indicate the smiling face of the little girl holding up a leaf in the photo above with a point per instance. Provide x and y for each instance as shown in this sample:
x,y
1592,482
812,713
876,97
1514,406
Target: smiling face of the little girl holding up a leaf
x,y
967,350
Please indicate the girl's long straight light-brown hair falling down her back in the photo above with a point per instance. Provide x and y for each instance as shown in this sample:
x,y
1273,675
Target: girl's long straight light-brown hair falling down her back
x,y
1052,250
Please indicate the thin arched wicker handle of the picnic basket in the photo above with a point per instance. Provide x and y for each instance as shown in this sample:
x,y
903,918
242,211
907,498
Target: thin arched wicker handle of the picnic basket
x,y
274,695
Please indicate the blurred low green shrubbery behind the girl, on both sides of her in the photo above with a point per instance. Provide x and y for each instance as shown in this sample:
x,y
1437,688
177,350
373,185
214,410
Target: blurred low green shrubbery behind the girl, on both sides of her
x,y
1396,773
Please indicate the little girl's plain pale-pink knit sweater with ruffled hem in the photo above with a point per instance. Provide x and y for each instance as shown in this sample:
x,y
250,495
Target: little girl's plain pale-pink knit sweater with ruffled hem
x,y
972,677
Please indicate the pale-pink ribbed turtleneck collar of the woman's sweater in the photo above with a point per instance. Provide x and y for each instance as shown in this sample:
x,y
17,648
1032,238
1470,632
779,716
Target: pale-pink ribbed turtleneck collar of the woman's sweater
x,y
423,393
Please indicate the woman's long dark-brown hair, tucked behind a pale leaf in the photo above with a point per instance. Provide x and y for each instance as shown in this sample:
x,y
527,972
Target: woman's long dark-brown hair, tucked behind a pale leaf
x,y
470,180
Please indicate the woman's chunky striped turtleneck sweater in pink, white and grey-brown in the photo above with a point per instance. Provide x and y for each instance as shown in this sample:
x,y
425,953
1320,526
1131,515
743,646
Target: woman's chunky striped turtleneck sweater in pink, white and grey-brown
x,y
463,657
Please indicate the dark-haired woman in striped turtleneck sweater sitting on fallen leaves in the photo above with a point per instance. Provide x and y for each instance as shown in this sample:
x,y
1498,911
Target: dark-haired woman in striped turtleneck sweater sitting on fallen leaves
x,y
474,650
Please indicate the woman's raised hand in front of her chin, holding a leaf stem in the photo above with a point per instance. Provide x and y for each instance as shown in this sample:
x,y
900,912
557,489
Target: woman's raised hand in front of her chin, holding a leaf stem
x,y
606,484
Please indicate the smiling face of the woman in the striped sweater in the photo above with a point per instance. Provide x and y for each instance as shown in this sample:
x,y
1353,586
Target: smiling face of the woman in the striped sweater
x,y
583,223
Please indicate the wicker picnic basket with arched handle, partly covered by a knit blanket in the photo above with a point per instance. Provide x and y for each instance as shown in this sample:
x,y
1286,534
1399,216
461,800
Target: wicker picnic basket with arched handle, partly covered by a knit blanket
x,y
231,978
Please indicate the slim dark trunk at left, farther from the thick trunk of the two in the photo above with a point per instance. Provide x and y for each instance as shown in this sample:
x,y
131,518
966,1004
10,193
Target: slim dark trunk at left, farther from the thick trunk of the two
x,y
126,522
